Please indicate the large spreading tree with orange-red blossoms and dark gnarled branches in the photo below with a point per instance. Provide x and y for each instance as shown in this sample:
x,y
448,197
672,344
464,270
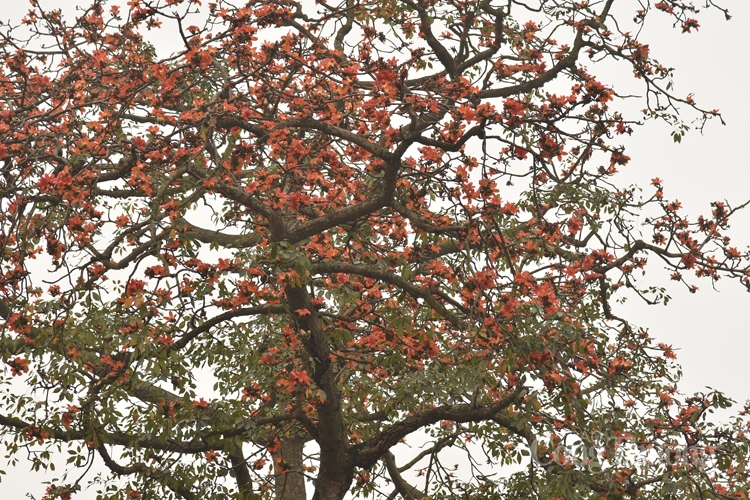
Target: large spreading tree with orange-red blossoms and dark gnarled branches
x,y
362,222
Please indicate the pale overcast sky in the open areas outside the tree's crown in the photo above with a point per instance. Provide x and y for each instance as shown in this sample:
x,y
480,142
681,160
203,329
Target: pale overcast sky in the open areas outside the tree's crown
x,y
709,329
